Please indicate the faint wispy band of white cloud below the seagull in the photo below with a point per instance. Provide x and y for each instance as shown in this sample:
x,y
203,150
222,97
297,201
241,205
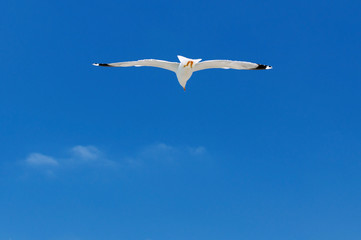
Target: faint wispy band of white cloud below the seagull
x,y
91,156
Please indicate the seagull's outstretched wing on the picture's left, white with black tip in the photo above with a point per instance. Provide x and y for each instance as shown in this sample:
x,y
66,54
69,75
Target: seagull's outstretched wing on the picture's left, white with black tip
x,y
172,66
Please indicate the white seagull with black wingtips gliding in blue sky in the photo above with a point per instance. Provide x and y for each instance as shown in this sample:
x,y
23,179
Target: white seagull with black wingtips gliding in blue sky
x,y
186,66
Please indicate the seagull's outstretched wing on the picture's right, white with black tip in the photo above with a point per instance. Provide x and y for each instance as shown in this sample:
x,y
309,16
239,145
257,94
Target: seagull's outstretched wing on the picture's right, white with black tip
x,y
226,64
